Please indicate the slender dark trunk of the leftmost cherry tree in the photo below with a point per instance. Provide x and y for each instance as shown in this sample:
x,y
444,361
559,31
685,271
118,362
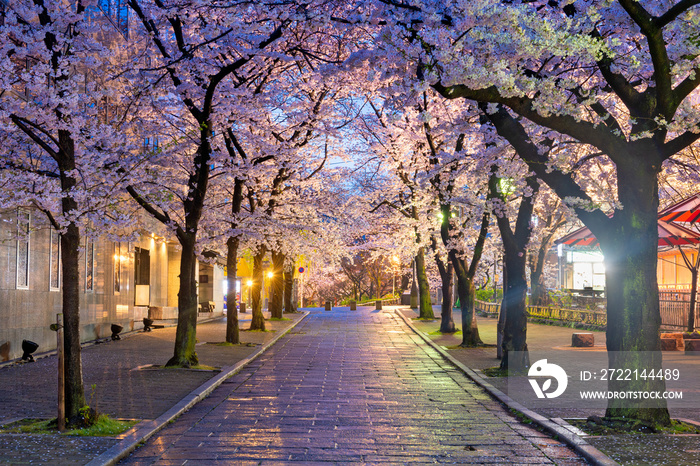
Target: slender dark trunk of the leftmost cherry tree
x,y
74,391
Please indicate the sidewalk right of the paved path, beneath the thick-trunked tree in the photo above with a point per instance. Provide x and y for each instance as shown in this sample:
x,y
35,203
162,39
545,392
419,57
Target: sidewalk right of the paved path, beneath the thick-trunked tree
x,y
556,342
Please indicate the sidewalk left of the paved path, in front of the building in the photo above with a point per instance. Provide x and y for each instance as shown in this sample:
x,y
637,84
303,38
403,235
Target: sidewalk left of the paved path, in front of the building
x,y
125,387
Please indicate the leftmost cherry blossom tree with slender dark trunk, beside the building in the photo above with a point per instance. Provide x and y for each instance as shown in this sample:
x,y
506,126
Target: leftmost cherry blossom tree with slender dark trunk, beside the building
x,y
59,133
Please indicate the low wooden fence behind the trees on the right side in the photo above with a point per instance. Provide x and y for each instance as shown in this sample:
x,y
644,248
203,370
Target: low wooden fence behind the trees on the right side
x,y
673,305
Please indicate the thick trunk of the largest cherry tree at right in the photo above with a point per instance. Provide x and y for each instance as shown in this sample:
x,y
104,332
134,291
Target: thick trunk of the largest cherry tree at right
x,y
634,319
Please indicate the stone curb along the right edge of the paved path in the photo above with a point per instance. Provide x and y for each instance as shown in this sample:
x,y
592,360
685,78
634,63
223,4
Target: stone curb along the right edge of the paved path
x,y
563,430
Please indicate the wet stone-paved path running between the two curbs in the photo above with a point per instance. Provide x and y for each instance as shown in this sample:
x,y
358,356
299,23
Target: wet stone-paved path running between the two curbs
x,y
350,387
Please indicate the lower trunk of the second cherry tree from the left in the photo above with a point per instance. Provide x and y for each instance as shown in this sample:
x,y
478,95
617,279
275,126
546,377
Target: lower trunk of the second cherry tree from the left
x,y
186,334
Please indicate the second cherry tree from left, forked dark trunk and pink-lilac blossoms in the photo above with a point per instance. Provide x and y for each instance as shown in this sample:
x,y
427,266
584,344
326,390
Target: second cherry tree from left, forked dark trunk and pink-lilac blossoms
x,y
194,60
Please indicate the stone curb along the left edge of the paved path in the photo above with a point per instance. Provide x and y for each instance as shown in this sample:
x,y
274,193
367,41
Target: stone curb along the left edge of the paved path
x,y
145,429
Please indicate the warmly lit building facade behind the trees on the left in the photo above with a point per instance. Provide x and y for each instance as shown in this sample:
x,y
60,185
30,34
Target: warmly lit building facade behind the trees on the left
x,y
120,283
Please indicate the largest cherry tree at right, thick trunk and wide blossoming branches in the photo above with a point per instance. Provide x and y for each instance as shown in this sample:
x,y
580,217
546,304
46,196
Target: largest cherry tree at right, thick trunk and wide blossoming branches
x,y
618,77
